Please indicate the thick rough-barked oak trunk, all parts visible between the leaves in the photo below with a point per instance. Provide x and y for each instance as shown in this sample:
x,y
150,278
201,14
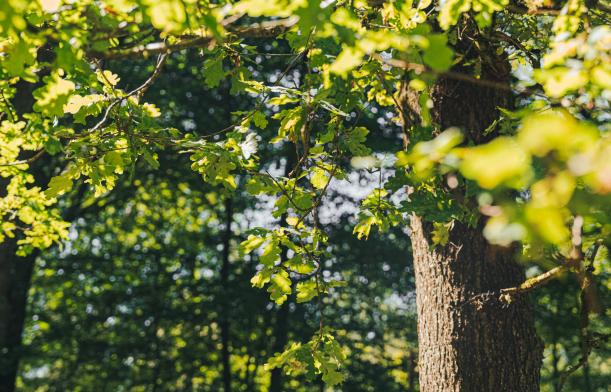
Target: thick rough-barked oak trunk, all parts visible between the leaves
x,y
464,347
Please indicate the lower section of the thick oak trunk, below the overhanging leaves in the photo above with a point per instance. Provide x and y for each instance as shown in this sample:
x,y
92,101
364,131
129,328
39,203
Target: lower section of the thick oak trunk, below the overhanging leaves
x,y
467,346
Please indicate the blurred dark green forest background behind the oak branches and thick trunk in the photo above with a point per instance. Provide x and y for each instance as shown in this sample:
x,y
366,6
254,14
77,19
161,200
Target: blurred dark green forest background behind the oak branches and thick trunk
x,y
152,294
